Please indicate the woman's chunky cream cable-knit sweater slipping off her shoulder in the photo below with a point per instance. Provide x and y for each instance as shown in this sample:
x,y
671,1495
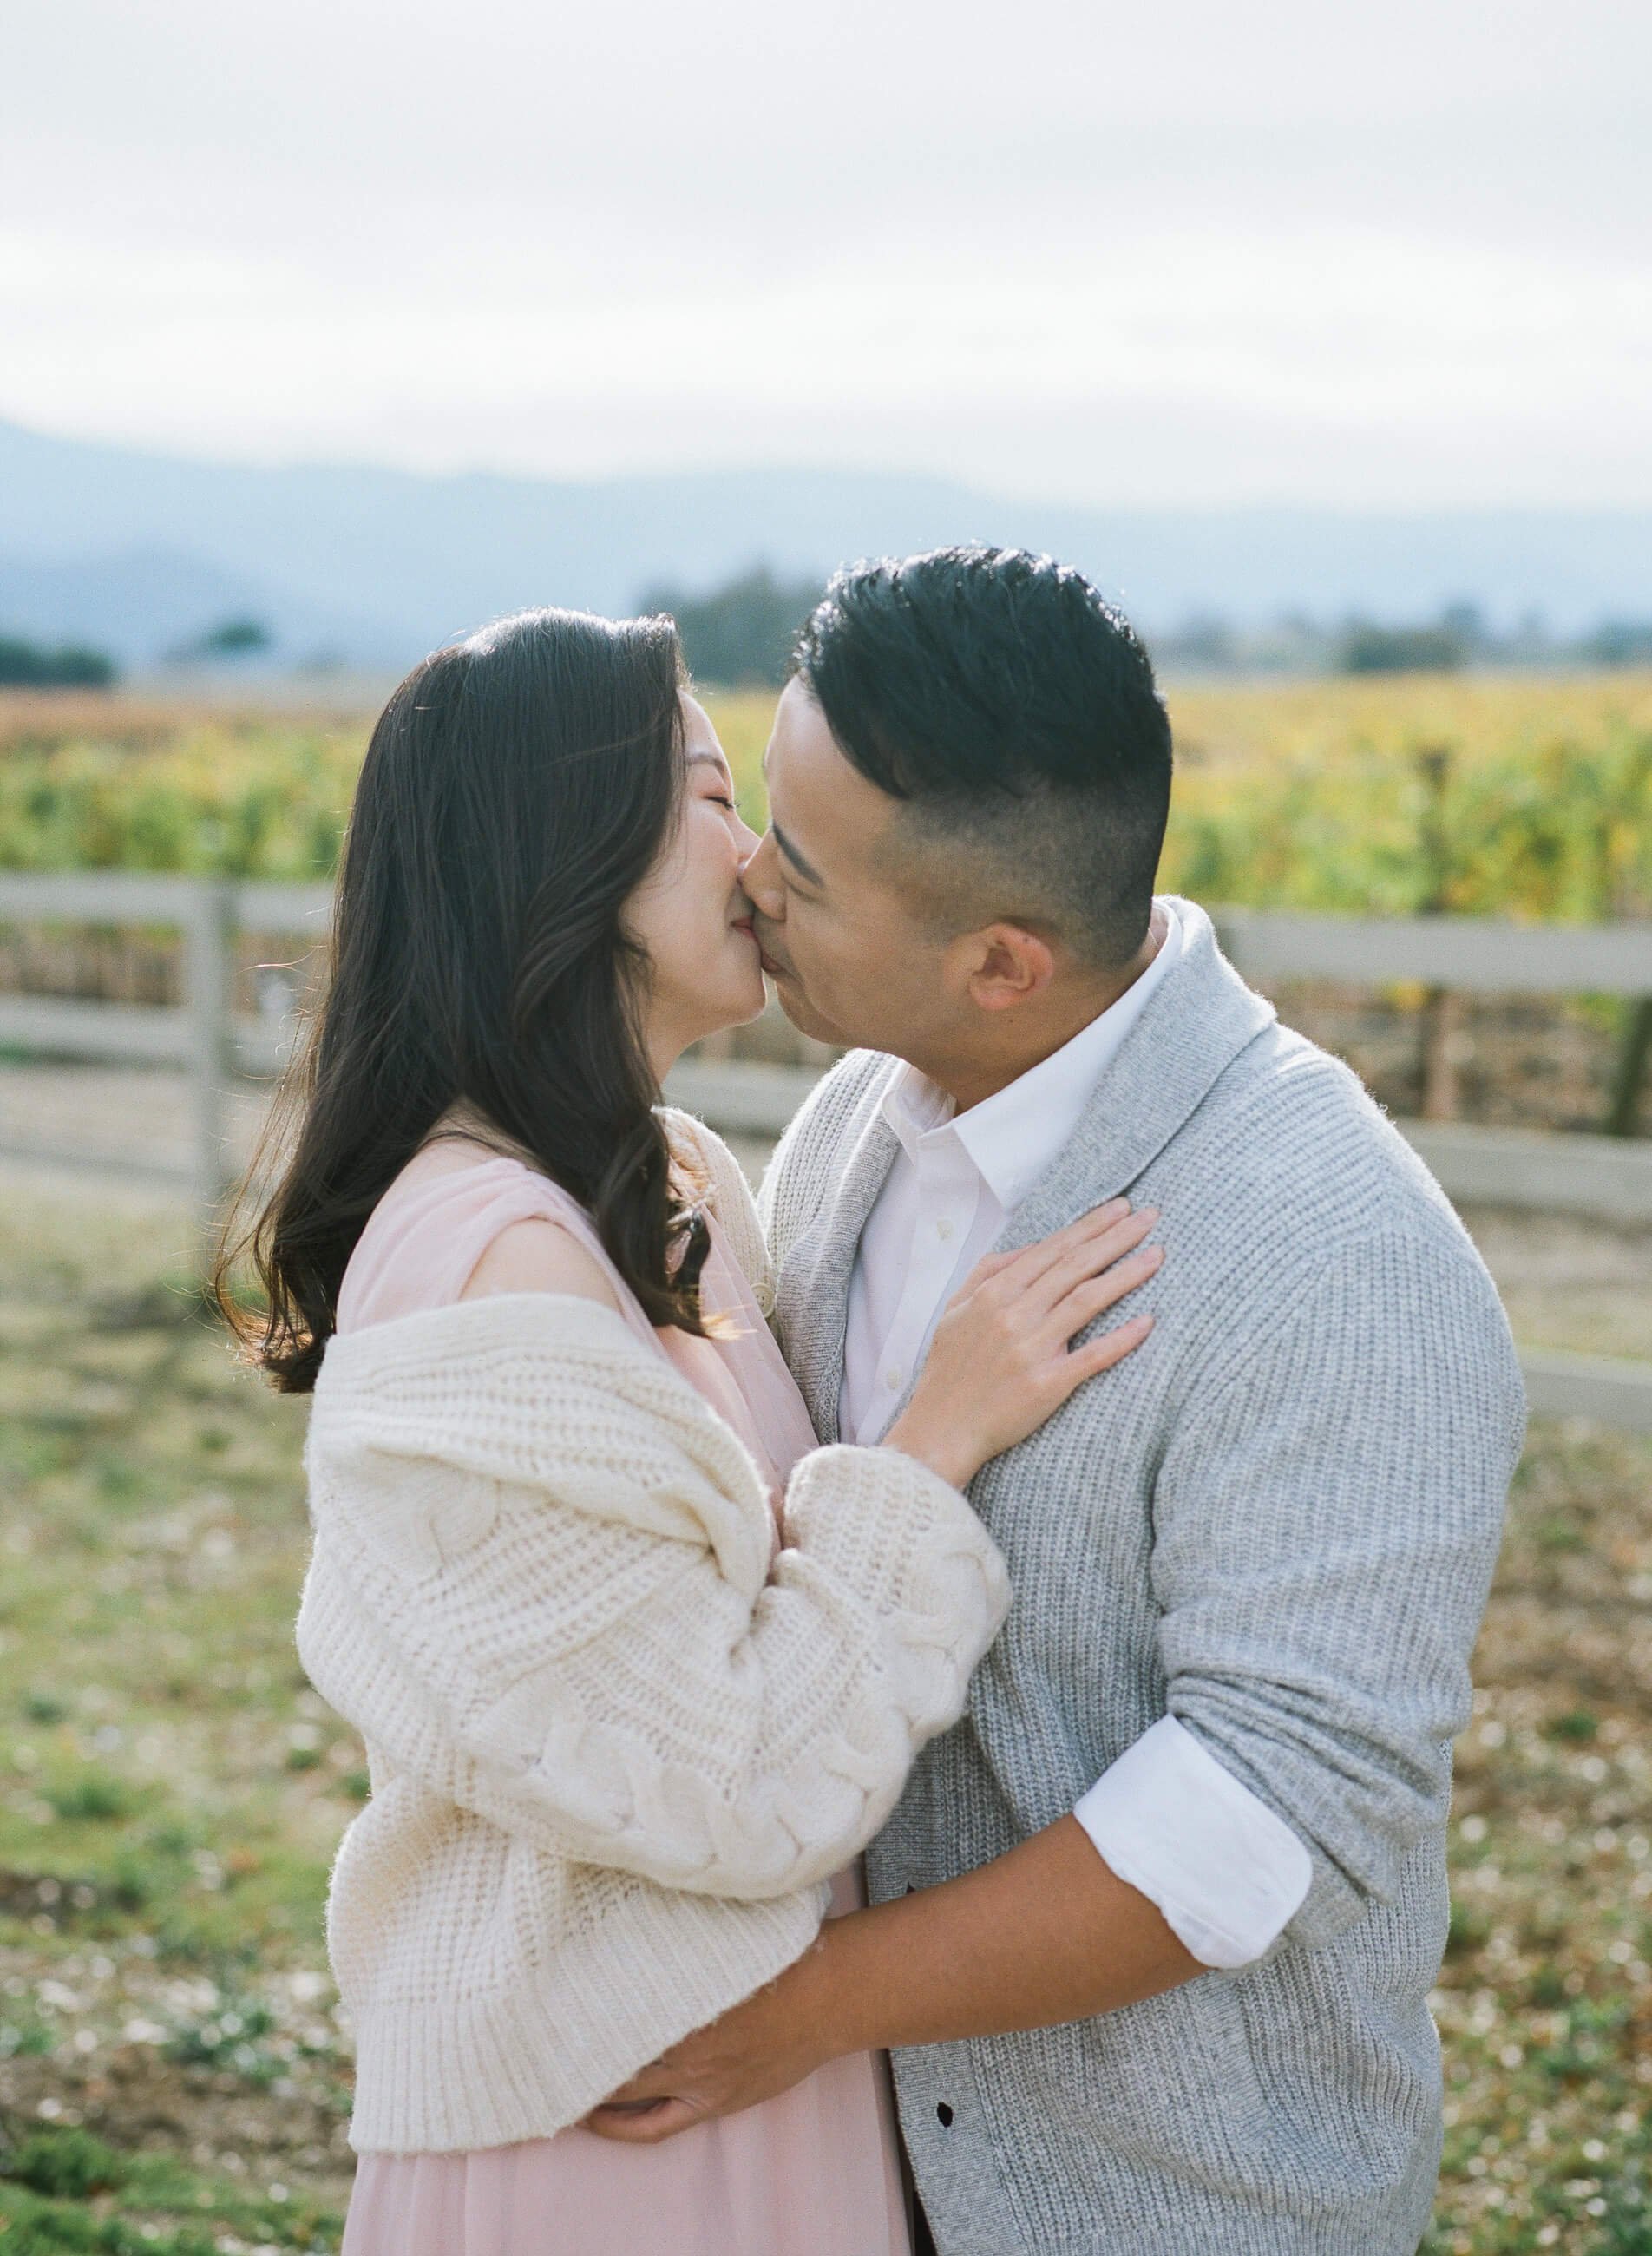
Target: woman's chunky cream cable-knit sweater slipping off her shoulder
x,y
615,1747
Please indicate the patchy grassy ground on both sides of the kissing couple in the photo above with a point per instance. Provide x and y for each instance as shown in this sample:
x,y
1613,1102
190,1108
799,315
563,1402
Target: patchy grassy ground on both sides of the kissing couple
x,y
173,2068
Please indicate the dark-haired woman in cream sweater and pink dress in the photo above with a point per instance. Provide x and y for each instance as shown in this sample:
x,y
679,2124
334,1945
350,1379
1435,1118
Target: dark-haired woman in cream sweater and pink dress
x,y
640,1668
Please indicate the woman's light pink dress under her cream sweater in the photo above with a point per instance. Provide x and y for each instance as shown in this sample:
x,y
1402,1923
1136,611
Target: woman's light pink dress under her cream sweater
x,y
814,2171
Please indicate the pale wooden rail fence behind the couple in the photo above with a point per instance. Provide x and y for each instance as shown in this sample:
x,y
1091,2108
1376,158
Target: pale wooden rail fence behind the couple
x,y
1608,1179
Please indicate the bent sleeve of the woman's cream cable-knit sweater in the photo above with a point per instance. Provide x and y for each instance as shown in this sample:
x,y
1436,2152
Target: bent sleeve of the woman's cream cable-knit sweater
x,y
574,1630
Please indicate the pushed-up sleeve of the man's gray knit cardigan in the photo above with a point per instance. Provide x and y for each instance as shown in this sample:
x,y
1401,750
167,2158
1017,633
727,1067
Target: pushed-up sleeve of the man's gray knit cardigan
x,y
1326,1519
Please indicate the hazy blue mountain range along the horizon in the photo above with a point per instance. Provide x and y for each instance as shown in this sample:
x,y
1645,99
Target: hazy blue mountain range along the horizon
x,y
371,567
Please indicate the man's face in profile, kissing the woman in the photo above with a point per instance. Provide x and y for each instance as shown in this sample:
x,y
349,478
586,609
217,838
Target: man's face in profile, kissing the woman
x,y
847,953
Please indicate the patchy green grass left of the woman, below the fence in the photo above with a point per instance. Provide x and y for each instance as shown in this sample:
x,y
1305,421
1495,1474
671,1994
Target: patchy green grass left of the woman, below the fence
x,y
170,1790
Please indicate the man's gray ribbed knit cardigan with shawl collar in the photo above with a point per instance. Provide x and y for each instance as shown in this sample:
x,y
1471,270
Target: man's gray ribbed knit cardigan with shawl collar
x,y
1278,1524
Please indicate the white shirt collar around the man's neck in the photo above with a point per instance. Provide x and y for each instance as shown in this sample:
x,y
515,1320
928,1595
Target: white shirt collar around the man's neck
x,y
1017,1134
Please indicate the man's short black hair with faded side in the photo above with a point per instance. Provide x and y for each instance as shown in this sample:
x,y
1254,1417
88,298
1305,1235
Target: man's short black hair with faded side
x,y
1014,714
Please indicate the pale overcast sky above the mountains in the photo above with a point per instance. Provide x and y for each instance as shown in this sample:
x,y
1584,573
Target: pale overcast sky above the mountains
x,y
1172,254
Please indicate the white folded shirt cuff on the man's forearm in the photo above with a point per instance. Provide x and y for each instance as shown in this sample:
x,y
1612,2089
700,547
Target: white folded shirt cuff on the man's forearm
x,y
1222,1867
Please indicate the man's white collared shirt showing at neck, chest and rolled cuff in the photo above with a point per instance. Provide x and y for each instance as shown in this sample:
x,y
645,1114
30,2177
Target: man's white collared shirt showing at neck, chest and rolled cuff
x,y
1170,1822
